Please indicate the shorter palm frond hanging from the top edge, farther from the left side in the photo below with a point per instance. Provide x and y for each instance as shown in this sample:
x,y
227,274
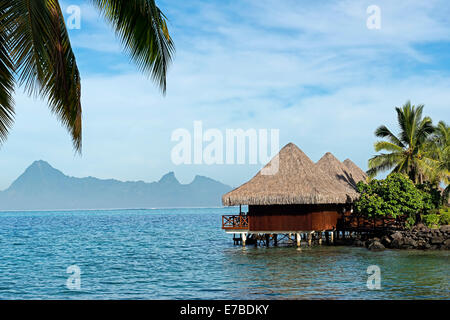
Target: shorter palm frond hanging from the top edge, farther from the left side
x,y
142,28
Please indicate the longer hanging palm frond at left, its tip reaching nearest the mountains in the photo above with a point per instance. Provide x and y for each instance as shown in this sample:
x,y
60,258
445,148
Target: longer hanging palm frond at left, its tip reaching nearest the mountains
x,y
44,59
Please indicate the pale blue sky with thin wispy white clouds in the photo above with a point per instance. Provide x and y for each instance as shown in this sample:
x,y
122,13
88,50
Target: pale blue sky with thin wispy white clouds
x,y
309,68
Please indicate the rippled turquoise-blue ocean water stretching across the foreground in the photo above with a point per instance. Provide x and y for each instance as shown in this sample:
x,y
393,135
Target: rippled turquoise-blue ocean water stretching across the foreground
x,y
184,254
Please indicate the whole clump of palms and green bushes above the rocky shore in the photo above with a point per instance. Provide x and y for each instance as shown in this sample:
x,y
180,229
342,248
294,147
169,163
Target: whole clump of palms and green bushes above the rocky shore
x,y
419,160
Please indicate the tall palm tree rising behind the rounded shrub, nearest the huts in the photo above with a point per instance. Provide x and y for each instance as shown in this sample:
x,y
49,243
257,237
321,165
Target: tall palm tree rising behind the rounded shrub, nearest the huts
x,y
406,152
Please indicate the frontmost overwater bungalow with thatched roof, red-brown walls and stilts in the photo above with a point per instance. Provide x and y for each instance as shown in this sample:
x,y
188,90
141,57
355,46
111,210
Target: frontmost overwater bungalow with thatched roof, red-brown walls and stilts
x,y
298,199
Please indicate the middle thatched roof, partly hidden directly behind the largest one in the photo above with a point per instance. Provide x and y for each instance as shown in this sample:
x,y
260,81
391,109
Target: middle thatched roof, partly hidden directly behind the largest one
x,y
337,170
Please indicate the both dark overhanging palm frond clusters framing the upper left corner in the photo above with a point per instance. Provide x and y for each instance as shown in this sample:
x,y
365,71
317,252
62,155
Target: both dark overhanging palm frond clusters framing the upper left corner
x,y
35,52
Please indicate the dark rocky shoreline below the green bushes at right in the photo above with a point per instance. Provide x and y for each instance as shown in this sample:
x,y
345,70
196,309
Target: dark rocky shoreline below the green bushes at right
x,y
419,237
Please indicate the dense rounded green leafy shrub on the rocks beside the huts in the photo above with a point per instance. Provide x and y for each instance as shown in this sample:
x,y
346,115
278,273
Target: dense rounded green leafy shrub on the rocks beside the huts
x,y
396,196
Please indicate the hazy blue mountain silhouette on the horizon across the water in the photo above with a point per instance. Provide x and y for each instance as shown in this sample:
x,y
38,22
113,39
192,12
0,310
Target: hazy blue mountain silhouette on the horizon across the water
x,y
42,187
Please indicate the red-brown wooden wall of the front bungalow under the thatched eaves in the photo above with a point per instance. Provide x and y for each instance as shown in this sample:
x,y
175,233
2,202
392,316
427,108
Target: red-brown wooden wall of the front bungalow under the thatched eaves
x,y
293,217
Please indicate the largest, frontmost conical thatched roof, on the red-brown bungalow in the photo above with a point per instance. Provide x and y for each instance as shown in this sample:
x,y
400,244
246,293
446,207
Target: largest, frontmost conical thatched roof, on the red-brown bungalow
x,y
297,181
